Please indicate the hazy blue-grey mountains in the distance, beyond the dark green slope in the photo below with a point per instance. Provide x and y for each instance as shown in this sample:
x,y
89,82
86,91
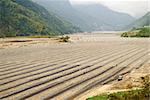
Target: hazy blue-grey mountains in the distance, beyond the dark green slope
x,y
91,17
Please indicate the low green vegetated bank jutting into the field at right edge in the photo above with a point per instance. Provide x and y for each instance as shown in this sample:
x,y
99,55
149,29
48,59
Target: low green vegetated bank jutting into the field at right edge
x,y
140,32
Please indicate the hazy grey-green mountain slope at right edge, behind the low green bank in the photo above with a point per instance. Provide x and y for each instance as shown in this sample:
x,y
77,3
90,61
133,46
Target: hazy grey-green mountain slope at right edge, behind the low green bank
x,y
141,22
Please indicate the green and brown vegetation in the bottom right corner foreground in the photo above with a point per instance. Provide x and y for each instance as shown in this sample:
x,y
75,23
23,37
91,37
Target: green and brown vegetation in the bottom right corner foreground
x,y
138,94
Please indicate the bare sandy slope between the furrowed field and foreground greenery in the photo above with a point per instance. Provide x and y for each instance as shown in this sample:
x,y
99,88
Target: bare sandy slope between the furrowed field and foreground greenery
x,y
131,81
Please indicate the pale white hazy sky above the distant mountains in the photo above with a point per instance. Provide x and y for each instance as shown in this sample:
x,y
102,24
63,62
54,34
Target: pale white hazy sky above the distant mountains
x,y
136,8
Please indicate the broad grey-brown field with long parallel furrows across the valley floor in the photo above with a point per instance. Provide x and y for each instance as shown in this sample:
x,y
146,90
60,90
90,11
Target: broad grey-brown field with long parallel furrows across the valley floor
x,y
63,71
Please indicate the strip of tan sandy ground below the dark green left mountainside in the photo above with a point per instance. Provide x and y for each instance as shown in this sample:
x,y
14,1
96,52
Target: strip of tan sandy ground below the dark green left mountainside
x,y
21,42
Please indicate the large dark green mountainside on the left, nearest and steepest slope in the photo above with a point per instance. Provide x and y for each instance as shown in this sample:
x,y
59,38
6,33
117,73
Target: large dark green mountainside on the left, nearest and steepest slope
x,y
24,17
